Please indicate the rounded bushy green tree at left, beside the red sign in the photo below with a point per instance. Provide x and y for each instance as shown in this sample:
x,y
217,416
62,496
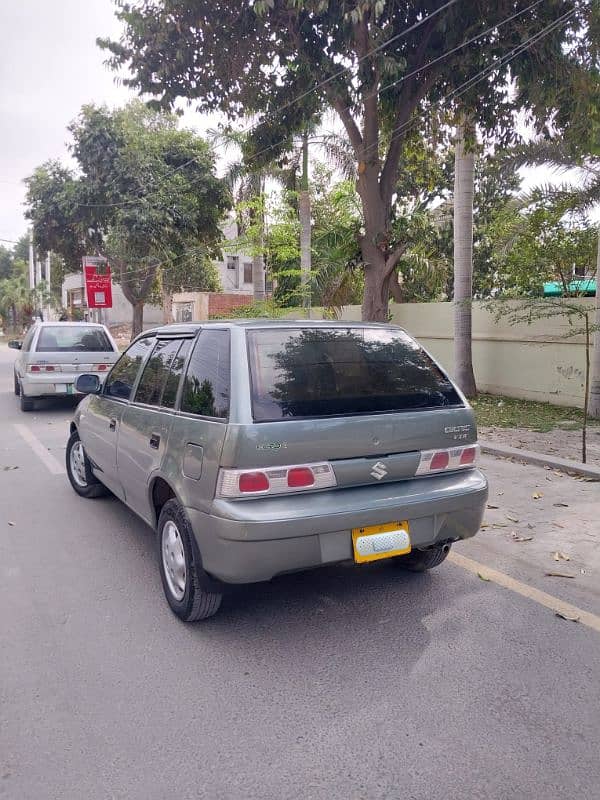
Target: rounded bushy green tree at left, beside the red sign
x,y
145,191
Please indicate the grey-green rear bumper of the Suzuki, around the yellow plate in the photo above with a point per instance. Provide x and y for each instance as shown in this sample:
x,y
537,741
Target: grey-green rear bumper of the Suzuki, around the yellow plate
x,y
254,540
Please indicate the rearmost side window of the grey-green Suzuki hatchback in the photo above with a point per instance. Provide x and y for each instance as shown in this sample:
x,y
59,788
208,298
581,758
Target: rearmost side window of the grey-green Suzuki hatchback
x,y
206,387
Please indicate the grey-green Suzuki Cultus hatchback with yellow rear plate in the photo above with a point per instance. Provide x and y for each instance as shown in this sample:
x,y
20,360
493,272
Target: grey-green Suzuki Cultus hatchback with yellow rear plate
x,y
256,448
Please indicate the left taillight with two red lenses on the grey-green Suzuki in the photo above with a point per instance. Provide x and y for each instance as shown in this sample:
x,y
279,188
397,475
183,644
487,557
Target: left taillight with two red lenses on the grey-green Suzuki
x,y
275,480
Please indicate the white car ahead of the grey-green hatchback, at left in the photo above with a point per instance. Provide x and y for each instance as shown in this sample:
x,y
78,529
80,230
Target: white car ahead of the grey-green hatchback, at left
x,y
53,354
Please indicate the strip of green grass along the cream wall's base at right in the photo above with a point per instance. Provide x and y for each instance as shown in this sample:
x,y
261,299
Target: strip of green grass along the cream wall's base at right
x,y
494,411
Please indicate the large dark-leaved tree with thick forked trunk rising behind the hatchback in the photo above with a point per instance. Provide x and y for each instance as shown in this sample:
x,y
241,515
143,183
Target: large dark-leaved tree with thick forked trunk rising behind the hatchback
x,y
379,65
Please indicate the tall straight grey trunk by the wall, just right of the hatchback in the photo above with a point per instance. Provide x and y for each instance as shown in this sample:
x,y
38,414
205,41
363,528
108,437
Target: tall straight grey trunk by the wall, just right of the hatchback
x,y
464,163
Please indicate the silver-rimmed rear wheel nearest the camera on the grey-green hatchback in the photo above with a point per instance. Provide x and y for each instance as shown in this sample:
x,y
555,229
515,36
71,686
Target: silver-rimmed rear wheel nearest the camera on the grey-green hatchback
x,y
180,568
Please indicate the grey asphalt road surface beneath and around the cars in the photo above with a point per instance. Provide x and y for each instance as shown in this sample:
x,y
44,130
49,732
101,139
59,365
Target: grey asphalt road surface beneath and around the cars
x,y
342,683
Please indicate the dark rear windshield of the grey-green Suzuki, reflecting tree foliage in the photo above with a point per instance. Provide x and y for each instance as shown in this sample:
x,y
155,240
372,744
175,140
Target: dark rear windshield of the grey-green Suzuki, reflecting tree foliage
x,y
324,372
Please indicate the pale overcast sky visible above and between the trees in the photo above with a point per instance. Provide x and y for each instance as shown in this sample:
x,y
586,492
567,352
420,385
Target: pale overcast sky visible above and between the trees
x,y
50,66
